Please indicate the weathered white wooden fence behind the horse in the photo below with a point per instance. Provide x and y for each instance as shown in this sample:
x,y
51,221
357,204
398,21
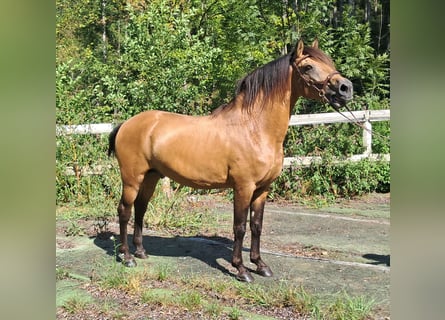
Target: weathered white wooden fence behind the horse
x,y
366,117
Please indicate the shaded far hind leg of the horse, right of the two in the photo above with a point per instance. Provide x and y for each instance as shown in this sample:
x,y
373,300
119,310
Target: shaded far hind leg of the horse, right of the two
x,y
146,190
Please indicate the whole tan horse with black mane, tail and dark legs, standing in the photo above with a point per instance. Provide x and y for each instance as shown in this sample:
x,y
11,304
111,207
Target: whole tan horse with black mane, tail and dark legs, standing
x,y
239,145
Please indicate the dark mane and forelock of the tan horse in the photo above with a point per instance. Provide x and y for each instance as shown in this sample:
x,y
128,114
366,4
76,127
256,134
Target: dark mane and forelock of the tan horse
x,y
269,79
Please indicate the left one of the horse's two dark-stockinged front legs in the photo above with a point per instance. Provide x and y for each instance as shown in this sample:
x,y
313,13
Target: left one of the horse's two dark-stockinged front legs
x,y
242,199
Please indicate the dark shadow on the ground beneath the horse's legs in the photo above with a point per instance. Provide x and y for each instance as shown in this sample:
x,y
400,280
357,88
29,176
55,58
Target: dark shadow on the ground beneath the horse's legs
x,y
206,249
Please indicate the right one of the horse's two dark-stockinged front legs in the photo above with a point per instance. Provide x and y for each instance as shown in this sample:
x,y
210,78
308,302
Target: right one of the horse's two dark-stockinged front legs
x,y
256,226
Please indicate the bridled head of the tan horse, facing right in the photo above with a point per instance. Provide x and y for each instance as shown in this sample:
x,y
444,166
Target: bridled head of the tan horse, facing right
x,y
320,79
